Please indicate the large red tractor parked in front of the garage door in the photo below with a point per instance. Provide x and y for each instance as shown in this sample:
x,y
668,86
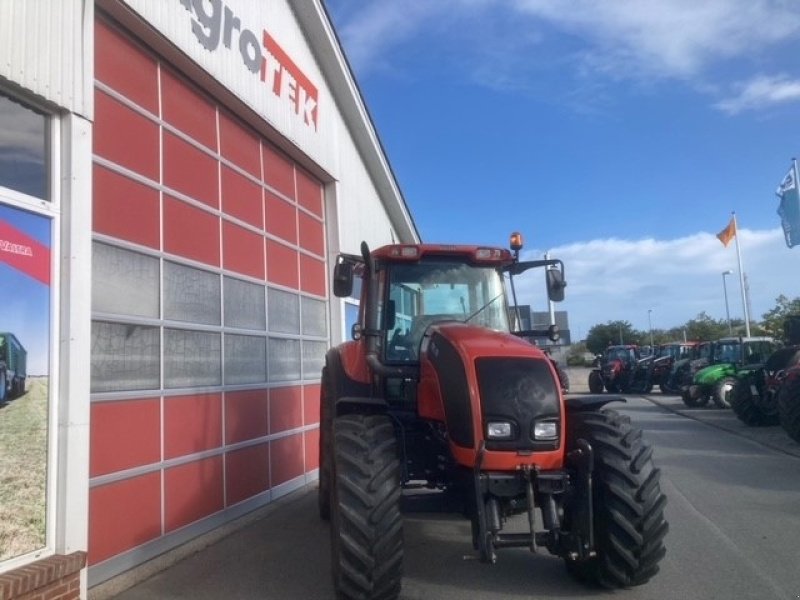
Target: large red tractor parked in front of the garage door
x,y
435,391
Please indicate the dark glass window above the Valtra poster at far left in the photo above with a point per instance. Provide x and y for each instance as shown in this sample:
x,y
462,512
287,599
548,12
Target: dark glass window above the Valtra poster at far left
x,y
24,160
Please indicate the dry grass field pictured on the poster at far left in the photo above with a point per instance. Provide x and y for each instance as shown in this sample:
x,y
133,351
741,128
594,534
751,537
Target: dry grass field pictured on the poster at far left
x,y
23,470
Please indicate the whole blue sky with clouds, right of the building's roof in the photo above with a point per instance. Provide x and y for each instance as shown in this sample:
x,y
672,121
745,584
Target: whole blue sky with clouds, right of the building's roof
x,y
617,135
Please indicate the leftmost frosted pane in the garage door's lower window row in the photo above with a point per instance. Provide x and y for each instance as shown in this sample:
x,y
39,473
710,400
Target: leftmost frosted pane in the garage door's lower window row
x,y
124,357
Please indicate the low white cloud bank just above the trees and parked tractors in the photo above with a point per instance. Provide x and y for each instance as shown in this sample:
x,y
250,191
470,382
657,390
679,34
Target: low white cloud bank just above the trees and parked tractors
x,y
618,279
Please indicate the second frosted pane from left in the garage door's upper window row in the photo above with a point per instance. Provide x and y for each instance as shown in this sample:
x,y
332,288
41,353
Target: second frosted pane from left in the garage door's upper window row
x,y
191,295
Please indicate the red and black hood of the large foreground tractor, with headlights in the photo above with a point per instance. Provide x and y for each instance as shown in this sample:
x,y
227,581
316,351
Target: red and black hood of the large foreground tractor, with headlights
x,y
475,377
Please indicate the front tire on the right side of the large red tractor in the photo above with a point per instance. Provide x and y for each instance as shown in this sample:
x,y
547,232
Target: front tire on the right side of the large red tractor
x,y
629,523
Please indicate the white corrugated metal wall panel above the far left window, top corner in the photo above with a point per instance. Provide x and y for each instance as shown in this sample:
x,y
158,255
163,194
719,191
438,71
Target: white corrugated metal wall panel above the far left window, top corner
x,y
46,47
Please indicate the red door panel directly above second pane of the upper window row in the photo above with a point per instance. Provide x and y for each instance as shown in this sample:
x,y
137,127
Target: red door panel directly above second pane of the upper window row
x,y
190,232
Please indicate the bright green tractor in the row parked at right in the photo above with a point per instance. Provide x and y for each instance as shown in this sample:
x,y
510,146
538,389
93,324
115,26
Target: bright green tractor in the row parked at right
x,y
733,357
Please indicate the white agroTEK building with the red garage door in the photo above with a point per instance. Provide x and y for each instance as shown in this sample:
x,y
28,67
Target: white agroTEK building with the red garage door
x,y
176,180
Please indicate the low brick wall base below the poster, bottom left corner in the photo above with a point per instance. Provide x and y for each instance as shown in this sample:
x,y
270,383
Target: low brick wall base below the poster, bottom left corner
x,y
52,578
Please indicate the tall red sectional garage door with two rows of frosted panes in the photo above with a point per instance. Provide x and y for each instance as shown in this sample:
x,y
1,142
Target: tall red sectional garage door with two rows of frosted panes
x,y
209,308
